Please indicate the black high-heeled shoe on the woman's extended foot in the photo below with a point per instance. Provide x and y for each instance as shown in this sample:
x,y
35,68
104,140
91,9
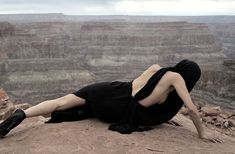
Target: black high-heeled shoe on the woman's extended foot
x,y
14,120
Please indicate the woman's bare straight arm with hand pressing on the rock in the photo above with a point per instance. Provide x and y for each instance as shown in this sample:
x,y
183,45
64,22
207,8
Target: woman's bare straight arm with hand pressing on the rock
x,y
182,91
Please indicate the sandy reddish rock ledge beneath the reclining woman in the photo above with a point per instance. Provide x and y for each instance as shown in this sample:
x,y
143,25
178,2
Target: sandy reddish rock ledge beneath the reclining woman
x,y
91,136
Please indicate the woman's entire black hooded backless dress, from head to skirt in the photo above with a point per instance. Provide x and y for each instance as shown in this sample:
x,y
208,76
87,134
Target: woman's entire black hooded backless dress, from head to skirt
x,y
112,101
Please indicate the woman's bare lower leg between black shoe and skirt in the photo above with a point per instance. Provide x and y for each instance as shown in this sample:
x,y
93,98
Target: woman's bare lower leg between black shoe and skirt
x,y
47,107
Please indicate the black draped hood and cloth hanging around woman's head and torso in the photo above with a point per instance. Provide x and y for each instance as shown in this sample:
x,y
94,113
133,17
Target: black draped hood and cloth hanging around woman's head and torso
x,y
160,113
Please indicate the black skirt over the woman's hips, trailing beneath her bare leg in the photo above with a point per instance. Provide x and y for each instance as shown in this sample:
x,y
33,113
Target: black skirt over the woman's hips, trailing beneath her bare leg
x,y
107,101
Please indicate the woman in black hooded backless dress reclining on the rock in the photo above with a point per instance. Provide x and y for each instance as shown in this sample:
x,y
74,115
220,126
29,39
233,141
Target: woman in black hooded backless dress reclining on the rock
x,y
152,98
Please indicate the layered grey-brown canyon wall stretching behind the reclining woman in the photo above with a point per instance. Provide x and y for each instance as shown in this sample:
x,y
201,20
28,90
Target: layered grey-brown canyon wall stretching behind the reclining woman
x,y
47,56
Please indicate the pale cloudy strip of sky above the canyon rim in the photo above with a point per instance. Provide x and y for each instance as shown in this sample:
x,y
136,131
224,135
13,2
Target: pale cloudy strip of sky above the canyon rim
x,y
120,7
